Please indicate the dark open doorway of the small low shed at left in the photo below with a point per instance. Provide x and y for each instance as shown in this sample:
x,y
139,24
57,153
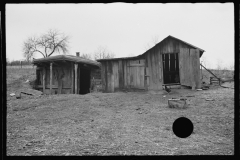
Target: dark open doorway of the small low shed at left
x,y
84,81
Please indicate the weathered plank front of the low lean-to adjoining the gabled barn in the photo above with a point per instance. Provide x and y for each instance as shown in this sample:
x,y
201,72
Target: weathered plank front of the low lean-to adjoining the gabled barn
x,y
122,74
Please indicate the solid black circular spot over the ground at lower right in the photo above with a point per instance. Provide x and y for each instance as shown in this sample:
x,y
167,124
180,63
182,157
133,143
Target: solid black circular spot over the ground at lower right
x,y
182,127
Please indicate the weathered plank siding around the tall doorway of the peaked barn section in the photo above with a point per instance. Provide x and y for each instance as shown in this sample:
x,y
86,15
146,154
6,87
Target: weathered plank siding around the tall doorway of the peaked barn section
x,y
154,65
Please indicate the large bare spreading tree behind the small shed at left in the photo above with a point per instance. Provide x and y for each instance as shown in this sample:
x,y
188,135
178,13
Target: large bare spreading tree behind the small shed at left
x,y
46,44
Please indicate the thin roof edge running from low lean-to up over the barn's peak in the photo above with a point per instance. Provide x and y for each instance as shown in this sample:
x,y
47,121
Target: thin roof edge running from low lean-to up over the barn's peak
x,y
153,47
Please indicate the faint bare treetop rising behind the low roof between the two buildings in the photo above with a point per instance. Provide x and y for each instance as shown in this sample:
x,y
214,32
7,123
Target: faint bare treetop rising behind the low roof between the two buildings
x,y
103,53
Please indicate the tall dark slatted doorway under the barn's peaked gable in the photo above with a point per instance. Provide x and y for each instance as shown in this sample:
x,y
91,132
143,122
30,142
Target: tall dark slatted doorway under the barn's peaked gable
x,y
170,68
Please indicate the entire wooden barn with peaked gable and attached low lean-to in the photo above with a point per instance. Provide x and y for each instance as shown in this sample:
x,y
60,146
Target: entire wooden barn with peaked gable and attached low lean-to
x,y
170,62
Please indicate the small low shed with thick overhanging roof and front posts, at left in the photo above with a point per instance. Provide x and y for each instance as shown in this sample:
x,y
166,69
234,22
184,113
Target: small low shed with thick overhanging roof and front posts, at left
x,y
63,74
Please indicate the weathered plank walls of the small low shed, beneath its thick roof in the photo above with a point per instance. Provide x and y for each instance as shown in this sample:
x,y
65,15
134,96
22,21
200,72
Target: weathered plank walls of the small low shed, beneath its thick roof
x,y
63,77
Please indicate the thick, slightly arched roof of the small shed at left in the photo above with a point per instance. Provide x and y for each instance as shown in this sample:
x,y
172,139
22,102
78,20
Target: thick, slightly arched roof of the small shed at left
x,y
70,58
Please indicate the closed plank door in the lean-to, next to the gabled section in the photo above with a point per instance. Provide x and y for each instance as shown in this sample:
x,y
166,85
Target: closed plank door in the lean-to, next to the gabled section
x,y
136,73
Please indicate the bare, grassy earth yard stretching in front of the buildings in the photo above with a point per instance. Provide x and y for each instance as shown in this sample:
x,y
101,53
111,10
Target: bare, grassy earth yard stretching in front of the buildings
x,y
131,123
